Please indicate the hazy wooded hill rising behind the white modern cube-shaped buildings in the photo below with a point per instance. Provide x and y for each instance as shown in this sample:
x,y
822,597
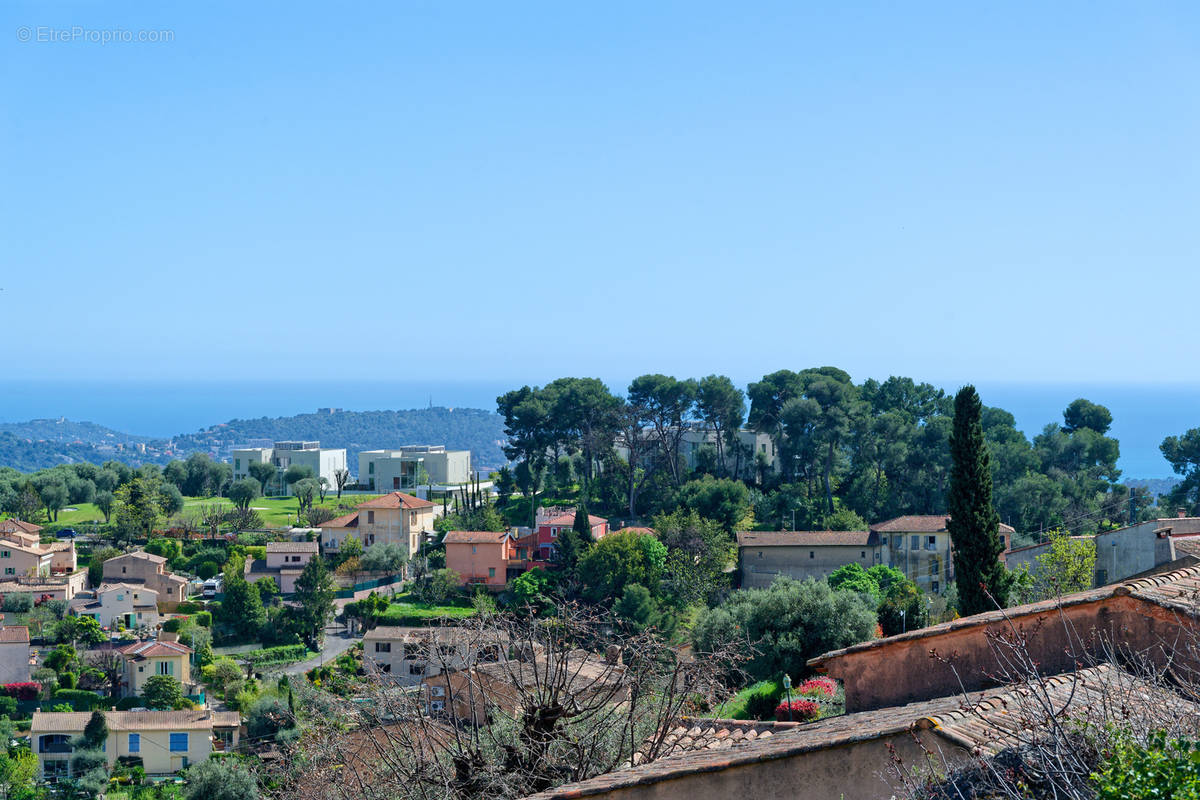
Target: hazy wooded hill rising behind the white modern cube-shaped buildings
x,y
458,429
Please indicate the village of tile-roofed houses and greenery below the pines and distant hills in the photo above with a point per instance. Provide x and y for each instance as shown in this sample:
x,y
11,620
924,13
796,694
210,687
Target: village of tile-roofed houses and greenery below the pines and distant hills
x,y
412,615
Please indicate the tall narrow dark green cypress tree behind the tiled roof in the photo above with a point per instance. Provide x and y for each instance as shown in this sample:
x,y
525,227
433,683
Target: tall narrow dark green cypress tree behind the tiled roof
x,y
974,525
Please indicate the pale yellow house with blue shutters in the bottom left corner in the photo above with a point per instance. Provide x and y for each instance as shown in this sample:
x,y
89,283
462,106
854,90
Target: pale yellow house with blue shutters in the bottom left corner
x,y
166,742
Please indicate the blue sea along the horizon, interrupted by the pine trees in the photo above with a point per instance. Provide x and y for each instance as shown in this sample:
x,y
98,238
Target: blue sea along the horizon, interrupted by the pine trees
x,y
1143,414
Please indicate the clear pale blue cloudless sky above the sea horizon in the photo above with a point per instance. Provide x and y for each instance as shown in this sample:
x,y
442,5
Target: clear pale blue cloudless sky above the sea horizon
x,y
424,191
